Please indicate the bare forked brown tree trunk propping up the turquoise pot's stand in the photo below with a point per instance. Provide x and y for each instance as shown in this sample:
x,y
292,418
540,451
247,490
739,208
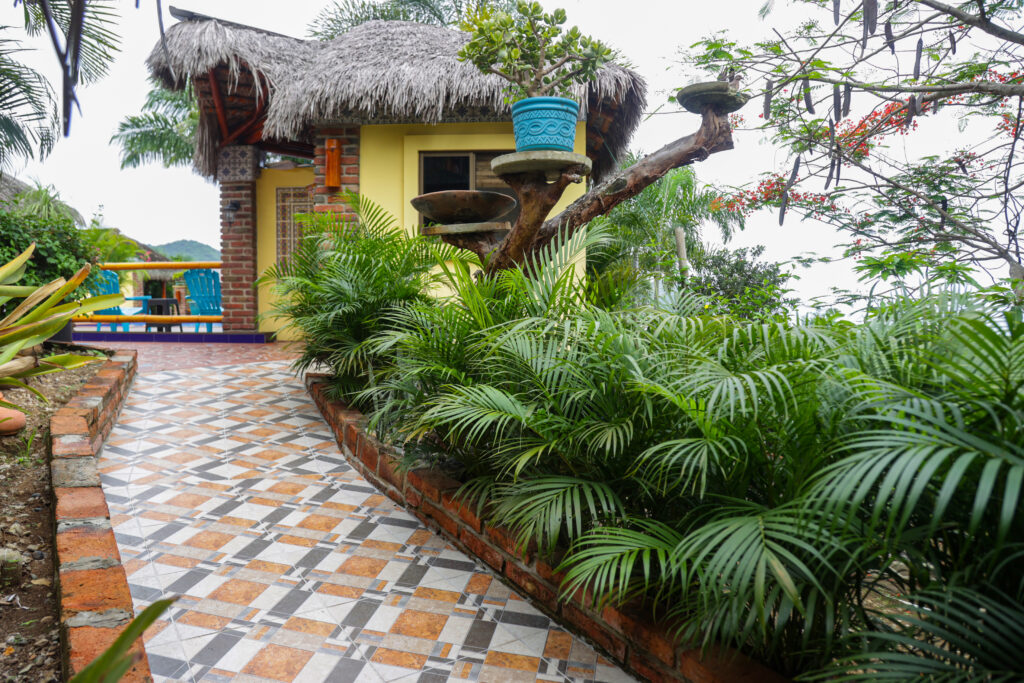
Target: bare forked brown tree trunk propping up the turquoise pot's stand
x,y
537,197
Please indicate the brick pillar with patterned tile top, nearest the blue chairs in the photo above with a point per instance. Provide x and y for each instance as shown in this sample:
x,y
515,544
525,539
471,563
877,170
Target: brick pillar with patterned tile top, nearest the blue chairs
x,y
237,172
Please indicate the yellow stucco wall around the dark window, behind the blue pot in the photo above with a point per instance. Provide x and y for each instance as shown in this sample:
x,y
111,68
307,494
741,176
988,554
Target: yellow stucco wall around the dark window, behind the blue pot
x,y
390,159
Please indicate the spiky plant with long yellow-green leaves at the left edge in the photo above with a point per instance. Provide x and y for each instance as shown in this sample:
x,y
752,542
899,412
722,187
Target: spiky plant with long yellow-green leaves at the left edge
x,y
33,316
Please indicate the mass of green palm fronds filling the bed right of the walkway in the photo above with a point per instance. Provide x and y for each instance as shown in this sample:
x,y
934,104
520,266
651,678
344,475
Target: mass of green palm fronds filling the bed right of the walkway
x,y
832,498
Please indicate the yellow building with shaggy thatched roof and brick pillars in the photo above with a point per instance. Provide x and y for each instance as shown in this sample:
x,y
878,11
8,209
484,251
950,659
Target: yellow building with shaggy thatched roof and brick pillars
x,y
387,111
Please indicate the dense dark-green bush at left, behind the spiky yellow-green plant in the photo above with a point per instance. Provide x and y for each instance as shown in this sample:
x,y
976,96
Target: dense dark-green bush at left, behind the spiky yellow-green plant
x,y
61,249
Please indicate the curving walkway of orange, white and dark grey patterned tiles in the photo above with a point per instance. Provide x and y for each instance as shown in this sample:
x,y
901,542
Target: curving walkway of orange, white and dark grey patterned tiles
x,y
227,488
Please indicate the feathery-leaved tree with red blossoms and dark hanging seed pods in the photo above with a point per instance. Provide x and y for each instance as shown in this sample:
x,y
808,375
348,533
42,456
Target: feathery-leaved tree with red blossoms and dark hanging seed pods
x,y
904,123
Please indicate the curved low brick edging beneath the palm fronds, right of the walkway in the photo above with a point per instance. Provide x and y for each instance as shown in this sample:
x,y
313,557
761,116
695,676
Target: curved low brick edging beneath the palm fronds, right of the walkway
x,y
627,636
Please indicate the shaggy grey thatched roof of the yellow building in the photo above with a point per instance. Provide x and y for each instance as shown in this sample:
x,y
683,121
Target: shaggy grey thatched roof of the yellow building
x,y
380,72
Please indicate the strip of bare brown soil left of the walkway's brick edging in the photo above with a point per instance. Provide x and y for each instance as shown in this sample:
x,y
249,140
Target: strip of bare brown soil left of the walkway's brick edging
x,y
29,613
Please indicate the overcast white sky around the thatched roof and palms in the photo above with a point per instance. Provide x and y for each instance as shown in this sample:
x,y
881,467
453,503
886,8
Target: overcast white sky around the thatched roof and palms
x,y
157,205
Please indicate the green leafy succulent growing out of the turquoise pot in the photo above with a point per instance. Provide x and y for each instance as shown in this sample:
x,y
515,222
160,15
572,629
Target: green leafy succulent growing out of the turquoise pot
x,y
530,51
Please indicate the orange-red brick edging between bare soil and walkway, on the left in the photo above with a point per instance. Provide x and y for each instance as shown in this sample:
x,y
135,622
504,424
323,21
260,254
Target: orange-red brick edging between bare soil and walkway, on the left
x,y
93,588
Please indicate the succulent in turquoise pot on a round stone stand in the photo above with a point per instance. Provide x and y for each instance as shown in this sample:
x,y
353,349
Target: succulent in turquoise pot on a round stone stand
x,y
541,63
